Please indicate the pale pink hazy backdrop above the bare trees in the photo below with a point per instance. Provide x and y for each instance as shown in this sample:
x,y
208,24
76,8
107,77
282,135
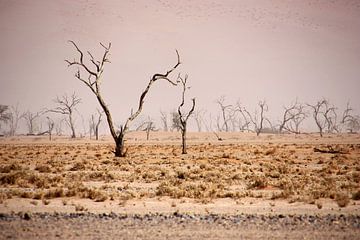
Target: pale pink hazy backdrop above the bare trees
x,y
249,50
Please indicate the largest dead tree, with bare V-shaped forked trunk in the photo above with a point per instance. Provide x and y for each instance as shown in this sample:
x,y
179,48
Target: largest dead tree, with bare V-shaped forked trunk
x,y
93,82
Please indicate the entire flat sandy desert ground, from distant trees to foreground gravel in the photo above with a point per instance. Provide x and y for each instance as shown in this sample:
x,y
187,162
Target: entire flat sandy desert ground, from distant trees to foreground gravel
x,y
243,187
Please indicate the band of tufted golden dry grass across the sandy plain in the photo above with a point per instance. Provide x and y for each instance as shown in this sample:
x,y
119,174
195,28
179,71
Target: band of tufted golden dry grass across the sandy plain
x,y
290,171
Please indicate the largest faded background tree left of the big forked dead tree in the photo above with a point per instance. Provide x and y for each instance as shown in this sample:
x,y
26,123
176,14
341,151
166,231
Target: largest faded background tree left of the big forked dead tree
x,y
66,106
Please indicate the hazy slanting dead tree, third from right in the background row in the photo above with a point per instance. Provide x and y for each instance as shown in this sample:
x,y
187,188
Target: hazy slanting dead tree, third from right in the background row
x,y
293,116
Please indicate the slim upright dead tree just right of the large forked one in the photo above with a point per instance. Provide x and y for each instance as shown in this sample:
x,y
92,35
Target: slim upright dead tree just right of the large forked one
x,y
183,117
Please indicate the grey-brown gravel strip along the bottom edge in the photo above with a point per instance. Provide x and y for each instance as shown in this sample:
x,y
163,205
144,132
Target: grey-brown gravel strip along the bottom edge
x,y
177,226
